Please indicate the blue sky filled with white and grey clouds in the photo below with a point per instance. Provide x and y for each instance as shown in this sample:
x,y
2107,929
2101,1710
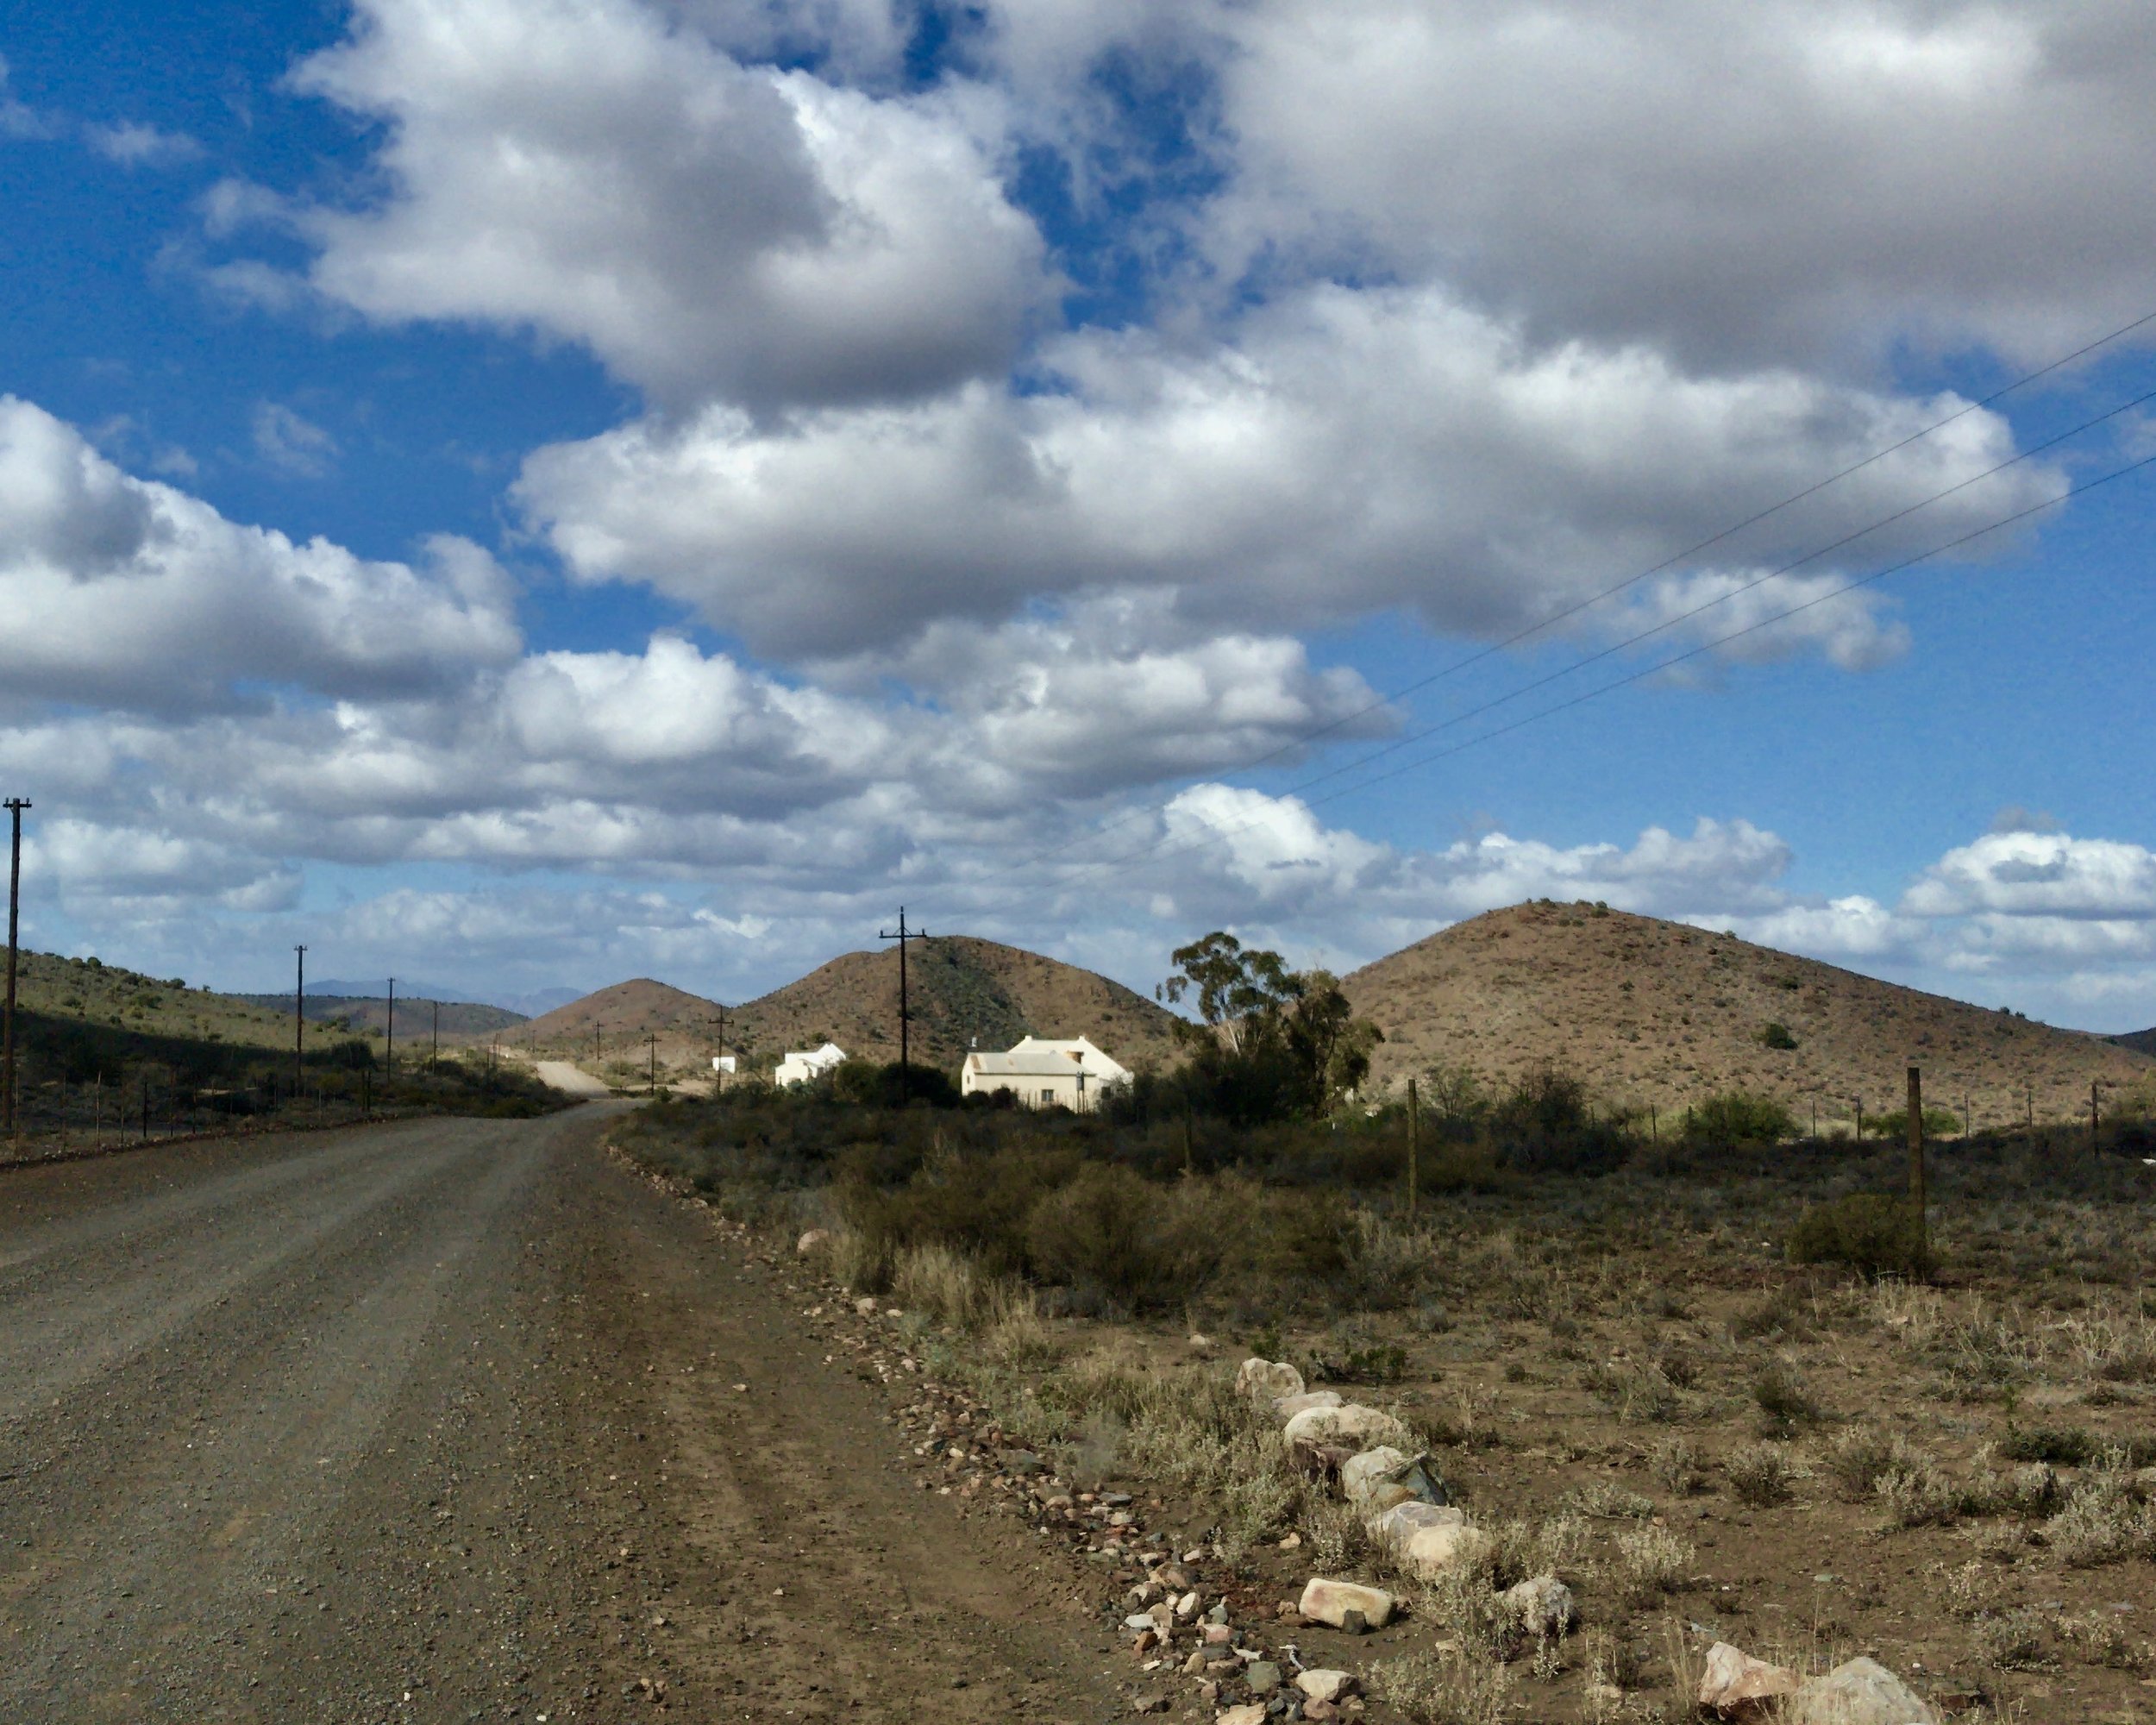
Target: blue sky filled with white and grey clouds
x,y
544,493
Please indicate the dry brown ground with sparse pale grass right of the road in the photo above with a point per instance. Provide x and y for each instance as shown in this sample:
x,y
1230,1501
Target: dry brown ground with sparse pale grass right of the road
x,y
1625,1383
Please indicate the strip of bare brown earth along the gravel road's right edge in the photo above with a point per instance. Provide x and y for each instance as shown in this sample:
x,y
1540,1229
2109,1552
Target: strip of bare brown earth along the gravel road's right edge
x,y
786,1562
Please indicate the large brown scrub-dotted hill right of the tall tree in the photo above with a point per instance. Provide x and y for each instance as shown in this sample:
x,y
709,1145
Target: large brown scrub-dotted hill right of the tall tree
x,y
1659,1015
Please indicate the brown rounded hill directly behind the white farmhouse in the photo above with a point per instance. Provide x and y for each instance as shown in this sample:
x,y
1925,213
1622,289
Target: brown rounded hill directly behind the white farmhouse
x,y
963,991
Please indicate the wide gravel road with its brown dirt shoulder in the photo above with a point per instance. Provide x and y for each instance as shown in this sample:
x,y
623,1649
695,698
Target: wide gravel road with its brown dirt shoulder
x,y
454,1422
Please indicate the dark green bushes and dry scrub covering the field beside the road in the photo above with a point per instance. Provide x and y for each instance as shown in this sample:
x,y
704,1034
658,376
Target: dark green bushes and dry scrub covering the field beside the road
x,y
1713,1379
